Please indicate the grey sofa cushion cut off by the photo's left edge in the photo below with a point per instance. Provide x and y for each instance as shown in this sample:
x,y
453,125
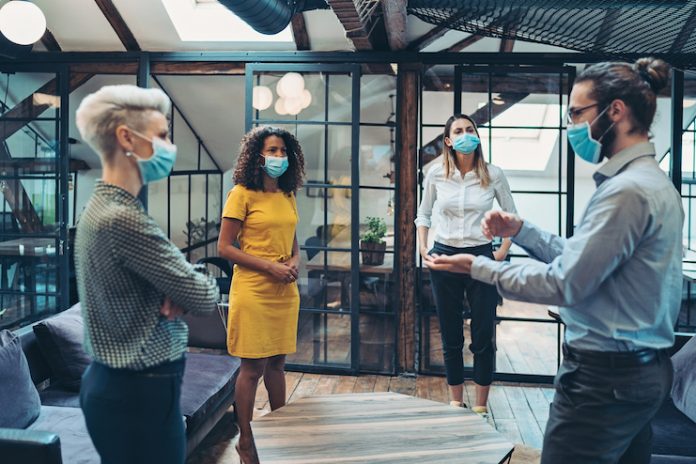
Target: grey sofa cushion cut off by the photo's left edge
x,y
19,400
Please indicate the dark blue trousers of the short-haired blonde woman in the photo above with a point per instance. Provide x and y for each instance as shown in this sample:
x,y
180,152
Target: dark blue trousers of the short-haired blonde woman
x,y
135,416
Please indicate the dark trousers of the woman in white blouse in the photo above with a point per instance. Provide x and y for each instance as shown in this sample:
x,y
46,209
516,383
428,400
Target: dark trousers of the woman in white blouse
x,y
449,291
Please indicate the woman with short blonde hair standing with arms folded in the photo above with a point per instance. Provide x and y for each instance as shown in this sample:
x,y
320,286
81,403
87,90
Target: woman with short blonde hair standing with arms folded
x,y
133,284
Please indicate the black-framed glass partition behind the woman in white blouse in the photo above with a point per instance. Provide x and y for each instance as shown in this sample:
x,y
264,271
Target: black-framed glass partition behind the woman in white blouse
x,y
519,112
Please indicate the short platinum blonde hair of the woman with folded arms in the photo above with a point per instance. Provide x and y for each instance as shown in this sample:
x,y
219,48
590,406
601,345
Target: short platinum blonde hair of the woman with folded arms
x,y
101,112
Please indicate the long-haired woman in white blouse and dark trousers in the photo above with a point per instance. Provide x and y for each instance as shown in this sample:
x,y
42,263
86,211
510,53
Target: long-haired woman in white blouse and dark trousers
x,y
463,186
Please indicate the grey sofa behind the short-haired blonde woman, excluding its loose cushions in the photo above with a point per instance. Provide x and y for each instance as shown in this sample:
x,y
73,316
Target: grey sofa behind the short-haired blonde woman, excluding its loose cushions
x,y
59,434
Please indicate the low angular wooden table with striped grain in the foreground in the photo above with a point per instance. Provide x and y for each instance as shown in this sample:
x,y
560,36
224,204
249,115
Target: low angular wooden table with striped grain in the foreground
x,y
386,428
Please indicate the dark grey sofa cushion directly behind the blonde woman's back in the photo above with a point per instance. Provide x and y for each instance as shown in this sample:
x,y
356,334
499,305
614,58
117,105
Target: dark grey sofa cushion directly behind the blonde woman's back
x,y
60,339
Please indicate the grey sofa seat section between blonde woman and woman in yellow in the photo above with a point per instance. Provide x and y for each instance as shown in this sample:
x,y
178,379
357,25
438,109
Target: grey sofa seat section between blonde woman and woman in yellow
x,y
208,379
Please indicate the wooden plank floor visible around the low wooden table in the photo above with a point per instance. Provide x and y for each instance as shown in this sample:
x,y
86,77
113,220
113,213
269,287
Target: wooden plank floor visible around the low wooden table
x,y
518,412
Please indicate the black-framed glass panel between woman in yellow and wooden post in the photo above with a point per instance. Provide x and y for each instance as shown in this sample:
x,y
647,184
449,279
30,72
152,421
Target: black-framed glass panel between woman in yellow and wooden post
x,y
344,122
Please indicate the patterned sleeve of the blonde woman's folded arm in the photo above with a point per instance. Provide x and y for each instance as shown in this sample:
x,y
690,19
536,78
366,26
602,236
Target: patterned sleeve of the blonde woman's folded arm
x,y
151,255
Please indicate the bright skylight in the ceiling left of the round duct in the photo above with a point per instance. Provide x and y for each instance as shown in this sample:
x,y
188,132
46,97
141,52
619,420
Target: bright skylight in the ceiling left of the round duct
x,y
209,21
